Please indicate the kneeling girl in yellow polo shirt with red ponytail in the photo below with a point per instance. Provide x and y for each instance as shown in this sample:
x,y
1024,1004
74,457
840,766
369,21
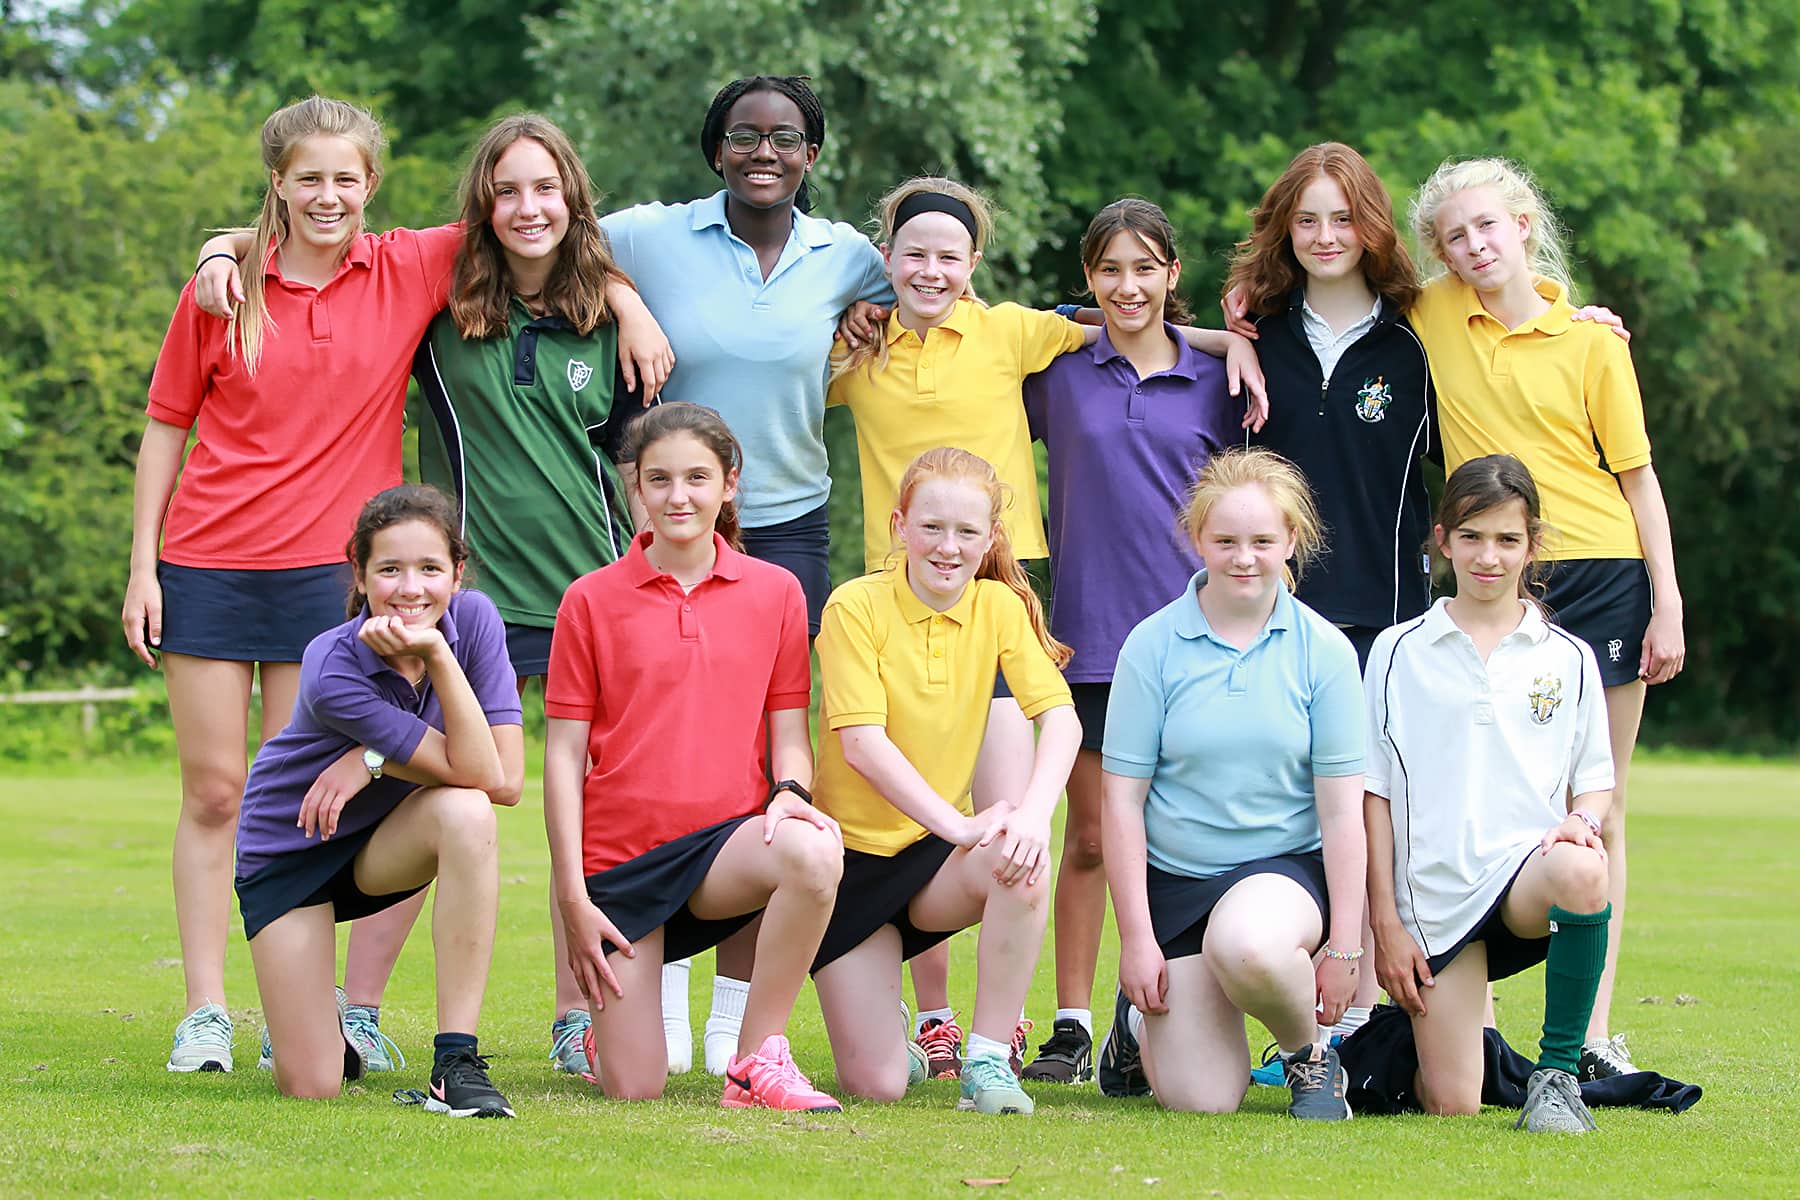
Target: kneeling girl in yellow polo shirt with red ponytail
x,y
908,659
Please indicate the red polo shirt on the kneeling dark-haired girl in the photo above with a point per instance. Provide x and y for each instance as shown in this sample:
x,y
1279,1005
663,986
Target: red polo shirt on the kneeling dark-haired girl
x,y
674,688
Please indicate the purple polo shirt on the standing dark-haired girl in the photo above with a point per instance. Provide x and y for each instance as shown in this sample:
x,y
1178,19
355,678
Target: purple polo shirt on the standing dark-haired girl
x,y
1122,456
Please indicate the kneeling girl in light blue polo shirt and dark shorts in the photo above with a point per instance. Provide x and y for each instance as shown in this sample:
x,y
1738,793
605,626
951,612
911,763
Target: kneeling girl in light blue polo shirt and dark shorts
x,y
1232,798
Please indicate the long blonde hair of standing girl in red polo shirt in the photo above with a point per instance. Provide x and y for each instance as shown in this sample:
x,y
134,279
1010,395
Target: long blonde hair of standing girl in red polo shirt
x,y
282,136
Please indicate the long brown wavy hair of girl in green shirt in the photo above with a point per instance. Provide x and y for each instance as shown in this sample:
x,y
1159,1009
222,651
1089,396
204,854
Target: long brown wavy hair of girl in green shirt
x,y
481,289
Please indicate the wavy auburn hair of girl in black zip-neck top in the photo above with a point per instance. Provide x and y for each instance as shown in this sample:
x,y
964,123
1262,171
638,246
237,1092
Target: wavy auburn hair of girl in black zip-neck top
x,y
1264,267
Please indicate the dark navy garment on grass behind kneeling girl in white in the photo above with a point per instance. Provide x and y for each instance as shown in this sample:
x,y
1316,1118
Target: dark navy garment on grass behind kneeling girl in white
x,y
1381,1062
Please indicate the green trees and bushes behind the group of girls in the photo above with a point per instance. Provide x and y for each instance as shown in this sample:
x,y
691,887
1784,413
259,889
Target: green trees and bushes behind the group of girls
x,y
1668,134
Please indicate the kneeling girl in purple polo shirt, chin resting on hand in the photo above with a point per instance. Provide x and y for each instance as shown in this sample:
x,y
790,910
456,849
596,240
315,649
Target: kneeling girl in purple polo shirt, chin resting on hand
x,y
404,739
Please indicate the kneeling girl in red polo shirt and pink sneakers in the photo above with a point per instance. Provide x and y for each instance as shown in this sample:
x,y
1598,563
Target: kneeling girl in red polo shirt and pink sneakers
x,y
681,676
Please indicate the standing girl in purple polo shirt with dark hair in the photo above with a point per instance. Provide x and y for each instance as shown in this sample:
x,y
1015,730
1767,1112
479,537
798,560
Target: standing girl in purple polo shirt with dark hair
x,y
1126,422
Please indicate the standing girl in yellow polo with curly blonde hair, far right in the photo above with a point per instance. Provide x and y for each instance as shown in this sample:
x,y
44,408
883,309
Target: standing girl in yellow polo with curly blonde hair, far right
x,y
1515,375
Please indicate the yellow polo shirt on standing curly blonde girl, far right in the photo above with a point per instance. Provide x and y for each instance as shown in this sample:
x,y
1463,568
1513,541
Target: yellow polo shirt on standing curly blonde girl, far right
x,y
1558,393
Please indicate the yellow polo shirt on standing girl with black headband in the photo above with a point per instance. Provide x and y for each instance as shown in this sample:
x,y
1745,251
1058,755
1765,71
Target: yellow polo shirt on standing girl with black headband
x,y
958,386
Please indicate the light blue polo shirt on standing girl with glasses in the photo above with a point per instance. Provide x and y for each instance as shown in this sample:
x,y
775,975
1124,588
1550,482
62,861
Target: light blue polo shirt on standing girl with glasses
x,y
757,350
